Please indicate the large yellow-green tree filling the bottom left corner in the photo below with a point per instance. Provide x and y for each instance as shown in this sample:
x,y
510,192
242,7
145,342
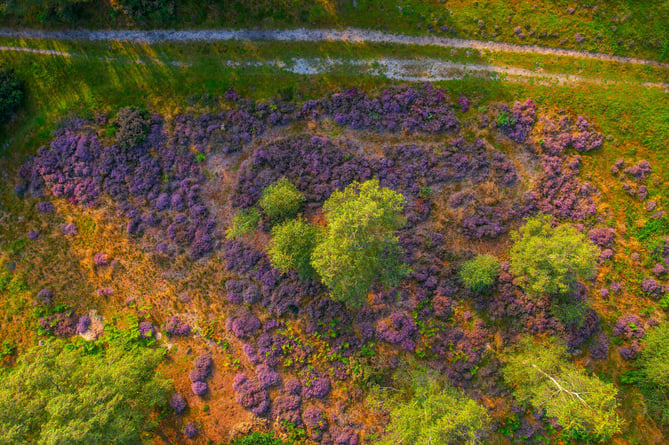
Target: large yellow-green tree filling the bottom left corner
x,y
58,394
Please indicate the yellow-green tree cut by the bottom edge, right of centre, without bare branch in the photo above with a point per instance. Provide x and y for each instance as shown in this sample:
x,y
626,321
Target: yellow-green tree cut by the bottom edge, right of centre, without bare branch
x,y
424,410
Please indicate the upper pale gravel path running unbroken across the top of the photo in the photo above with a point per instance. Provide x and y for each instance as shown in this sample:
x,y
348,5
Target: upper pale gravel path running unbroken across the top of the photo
x,y
352,35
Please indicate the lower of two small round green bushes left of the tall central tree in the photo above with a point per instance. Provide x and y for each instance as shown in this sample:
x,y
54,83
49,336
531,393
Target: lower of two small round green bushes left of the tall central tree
x,y
292,245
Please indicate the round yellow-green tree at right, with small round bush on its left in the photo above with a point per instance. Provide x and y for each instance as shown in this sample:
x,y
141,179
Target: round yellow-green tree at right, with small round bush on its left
x,y
550,260
